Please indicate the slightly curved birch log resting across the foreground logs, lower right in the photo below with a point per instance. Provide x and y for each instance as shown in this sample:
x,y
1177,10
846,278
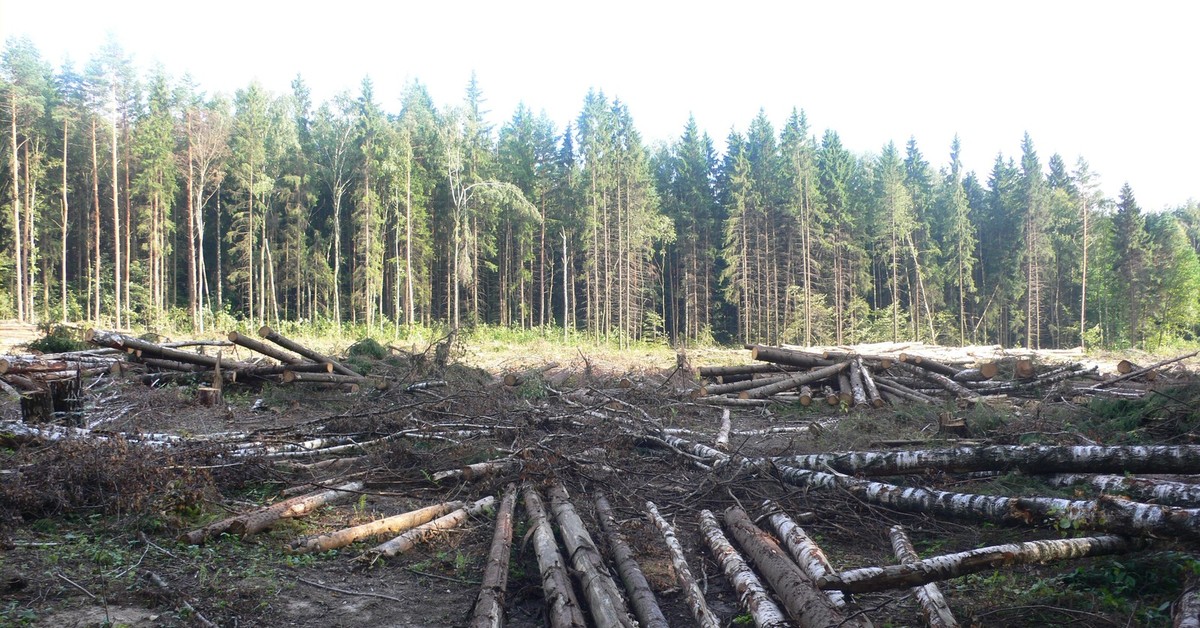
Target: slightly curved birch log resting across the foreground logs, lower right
x,y
872,579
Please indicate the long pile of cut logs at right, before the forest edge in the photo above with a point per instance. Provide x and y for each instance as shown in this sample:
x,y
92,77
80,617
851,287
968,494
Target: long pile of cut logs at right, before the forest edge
x,y
877,380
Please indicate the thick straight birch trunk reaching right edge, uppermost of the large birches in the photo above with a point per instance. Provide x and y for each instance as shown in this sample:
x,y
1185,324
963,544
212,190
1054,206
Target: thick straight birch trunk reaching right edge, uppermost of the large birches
x,y
1030,459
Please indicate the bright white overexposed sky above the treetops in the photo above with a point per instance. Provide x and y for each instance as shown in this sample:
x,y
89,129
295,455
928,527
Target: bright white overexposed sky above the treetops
x,y
1115,83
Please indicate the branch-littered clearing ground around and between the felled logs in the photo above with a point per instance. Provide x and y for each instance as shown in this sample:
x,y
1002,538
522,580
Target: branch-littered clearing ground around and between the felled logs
x,y
89,530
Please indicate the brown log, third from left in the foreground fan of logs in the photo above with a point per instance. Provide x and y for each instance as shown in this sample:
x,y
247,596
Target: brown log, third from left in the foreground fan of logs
x,y
605,602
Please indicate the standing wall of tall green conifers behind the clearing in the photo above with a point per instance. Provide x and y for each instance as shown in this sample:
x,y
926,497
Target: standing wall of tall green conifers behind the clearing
x,y
139,200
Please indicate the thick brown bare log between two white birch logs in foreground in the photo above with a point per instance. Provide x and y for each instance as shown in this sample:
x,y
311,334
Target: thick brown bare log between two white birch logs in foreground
x,y
807,606
